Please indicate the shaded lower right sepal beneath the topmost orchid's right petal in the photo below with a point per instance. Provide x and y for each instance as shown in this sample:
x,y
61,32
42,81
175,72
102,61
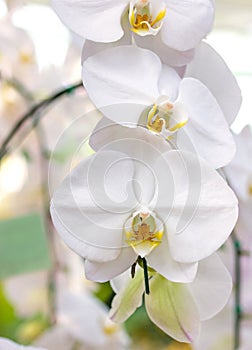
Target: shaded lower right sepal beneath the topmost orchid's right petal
x,y
166,54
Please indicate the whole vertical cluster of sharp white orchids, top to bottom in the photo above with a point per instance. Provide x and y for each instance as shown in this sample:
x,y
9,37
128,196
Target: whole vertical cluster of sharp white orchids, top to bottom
x,y
148,210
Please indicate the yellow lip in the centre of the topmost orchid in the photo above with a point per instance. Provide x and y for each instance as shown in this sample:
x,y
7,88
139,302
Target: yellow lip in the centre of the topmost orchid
x,y
141,20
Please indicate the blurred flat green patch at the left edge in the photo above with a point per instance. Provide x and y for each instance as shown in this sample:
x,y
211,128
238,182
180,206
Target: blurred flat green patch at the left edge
x,y
23,246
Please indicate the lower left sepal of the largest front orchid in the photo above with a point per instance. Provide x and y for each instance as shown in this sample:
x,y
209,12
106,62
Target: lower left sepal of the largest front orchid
x,y
102,272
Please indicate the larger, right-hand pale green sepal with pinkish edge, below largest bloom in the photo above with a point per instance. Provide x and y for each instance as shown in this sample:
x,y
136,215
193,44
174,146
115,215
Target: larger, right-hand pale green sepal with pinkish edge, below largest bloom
x,y
172,308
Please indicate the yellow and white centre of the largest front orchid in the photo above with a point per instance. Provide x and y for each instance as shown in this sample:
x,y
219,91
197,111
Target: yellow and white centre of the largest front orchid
x,y
143,232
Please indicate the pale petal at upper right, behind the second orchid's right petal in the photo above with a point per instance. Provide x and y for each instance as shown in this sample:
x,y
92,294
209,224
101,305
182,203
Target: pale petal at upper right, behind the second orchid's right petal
x,y
210,68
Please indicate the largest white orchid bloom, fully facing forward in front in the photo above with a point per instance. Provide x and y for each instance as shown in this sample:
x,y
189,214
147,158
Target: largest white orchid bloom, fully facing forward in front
x,y
136,199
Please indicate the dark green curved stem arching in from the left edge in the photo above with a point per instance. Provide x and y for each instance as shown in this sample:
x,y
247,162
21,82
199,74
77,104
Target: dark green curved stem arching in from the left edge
x,y
44,103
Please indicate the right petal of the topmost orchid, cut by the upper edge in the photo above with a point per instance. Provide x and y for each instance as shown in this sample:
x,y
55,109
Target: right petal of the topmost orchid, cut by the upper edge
x,y
187,23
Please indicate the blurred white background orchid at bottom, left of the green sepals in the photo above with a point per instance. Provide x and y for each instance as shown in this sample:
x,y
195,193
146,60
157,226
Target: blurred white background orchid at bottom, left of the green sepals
x,y
83,319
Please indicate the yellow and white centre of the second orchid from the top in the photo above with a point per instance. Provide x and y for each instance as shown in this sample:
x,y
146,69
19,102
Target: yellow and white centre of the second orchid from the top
x,y
166,118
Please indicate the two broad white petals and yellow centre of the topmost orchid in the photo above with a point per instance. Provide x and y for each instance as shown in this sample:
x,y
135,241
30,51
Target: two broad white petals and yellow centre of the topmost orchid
x,y
181,26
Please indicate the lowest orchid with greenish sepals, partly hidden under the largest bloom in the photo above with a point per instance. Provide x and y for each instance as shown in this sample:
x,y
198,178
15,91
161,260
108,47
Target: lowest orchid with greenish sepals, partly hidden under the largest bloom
x,y
176,308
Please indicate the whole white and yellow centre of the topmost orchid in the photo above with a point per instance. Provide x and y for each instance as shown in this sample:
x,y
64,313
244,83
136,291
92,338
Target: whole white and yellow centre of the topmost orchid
x,y
142,17
